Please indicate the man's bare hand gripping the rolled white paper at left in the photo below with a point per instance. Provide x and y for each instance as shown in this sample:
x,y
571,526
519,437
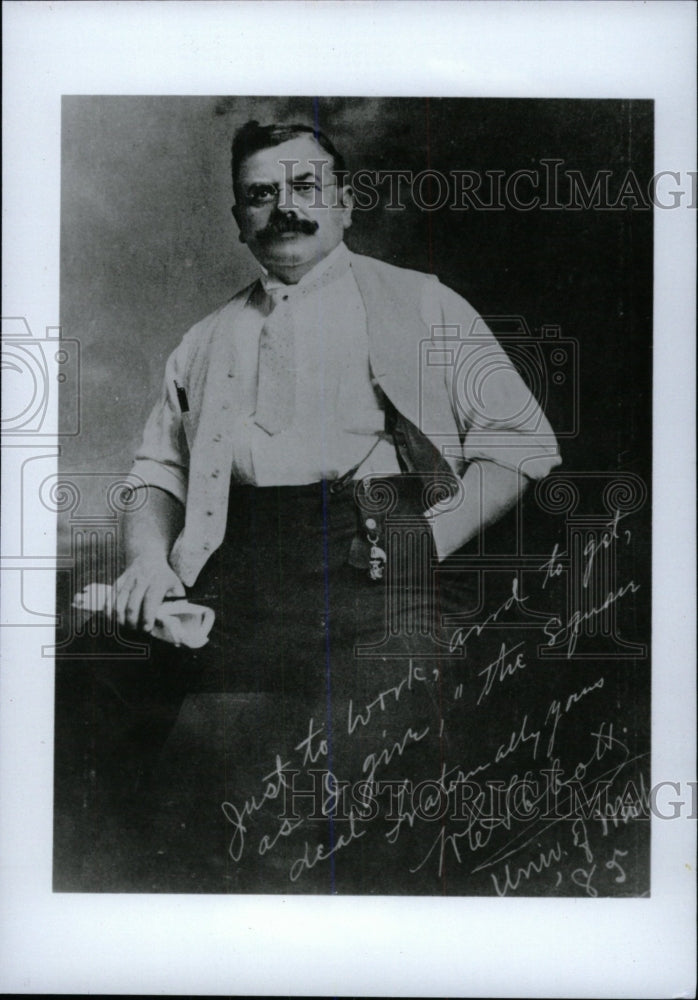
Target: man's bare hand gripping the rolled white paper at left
x,y
140,590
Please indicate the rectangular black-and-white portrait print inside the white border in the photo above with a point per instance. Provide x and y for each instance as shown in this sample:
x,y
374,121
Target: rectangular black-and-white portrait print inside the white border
x,y
354,496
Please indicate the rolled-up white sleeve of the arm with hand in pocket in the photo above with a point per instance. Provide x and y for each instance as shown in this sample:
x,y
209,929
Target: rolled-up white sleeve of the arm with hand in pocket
x,y
499,418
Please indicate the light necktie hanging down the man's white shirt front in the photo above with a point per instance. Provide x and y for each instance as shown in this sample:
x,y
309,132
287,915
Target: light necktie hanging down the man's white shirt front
x,y
276,378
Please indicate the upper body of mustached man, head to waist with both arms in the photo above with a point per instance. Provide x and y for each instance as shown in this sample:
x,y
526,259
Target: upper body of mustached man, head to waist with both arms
x,y
292,208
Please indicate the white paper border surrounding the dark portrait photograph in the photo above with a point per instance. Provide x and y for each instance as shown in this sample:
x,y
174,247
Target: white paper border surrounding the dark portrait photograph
x,y
322,945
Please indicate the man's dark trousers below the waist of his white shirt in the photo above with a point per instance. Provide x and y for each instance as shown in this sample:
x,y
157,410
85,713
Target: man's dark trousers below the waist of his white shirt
x,y
292,591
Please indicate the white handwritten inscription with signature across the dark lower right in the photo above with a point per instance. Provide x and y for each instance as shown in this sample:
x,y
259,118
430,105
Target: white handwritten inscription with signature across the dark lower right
x,y
520,812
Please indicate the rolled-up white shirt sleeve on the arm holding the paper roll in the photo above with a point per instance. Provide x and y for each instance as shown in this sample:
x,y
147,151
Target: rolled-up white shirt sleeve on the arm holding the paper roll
x,y
162,460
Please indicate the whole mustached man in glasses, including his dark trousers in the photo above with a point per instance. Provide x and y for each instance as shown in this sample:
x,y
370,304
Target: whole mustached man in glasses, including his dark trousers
x,y
307,473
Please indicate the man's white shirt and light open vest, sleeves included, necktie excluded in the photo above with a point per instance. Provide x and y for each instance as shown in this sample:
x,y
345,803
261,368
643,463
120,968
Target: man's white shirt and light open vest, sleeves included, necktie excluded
x,y
430,353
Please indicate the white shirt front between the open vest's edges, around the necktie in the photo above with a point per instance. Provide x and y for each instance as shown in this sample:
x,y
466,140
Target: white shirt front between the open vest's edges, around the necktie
x,y
337,412
